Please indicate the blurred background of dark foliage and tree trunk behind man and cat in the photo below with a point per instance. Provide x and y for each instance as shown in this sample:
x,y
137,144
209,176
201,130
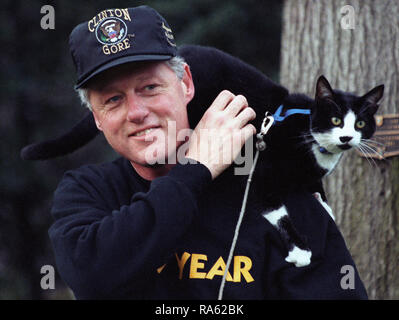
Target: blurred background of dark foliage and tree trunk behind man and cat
x,y
291,41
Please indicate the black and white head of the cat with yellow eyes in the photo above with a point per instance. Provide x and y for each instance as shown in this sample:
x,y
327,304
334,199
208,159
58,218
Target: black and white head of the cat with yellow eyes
x,y
341,120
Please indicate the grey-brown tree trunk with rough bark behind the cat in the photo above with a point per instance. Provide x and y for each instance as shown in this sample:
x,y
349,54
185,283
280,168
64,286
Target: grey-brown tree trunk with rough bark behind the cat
x,y
363,194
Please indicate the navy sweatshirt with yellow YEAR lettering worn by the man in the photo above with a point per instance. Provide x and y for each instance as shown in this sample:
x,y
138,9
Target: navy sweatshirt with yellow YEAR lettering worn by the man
x,y
118,236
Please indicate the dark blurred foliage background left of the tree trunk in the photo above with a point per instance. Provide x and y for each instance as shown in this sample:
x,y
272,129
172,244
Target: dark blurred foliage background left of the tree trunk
x,y
38,102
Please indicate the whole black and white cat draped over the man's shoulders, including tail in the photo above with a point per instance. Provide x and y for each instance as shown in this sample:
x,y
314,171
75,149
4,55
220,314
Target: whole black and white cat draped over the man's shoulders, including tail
x,y
301,150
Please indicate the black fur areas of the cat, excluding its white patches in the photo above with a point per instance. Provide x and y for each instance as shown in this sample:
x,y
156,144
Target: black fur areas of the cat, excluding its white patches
x,y
288,164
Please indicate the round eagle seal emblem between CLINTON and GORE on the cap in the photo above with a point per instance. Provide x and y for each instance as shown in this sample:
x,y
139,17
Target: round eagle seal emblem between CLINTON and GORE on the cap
x,y
111,31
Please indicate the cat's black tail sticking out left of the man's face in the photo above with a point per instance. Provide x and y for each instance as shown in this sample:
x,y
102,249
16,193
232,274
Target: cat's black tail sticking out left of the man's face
x,y
83,132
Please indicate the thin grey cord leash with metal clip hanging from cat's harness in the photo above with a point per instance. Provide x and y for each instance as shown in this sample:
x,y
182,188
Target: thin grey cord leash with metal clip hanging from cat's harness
x,y
260,146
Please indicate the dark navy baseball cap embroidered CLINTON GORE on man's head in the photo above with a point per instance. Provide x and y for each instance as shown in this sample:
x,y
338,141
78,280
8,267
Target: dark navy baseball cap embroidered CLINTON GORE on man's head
x,y
117,36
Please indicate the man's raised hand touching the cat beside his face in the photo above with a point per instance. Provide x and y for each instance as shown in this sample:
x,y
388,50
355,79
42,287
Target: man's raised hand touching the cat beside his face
x,y
222,132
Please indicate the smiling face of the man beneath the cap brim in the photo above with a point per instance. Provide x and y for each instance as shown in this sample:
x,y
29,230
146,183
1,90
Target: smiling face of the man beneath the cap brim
x,y
135,105
